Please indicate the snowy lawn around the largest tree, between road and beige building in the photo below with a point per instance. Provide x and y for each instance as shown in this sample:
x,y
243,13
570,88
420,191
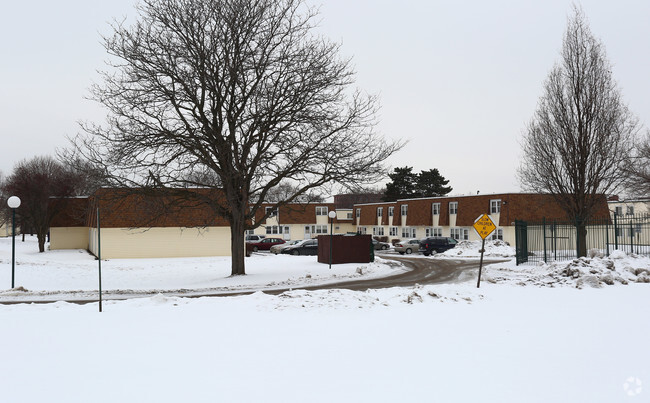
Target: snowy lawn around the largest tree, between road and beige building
x,y
74,274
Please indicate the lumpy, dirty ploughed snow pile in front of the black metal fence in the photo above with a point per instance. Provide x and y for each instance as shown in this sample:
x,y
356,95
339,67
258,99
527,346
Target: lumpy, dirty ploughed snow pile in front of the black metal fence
x,y
595,271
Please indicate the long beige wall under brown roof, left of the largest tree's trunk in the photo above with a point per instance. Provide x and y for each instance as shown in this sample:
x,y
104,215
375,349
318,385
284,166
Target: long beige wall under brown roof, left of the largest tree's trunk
x,y
161,242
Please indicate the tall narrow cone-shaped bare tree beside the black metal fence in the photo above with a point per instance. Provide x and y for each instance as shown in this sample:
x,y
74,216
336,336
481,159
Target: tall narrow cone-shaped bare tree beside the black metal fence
x,y
581,135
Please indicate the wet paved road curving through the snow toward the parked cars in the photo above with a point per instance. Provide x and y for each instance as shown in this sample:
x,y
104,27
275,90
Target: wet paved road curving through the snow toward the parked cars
x,y
421,271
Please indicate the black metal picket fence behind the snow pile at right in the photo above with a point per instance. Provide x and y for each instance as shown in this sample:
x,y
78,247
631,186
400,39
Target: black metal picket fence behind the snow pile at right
x,y
559,240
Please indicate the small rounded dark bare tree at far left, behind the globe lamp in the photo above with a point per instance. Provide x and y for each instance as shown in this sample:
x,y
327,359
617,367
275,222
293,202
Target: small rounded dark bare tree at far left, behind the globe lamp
x,y
35,181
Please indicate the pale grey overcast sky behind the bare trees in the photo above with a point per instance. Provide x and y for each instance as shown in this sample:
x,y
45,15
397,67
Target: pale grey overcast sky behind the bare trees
x,y
458,79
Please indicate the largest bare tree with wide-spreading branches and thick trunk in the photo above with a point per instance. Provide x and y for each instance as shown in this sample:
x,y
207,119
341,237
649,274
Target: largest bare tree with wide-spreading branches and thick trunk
x,y
239,88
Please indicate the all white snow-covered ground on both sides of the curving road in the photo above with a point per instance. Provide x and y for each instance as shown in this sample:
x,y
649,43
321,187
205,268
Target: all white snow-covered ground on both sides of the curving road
x,y
556,333
